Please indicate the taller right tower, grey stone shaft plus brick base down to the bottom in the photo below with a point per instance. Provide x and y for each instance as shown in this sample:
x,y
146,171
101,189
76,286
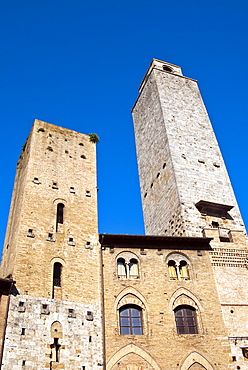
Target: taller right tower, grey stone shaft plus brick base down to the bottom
x,y
185,187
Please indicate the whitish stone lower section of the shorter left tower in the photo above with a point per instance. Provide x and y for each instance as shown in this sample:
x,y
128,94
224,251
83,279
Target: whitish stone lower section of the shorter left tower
x,y
34,346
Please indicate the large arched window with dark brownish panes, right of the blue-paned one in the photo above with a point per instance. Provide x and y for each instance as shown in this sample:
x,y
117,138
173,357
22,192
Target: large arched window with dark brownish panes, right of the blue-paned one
x,y
185,317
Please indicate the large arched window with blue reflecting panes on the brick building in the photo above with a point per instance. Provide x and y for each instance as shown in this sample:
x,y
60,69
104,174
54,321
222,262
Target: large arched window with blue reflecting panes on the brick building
x,y
131,320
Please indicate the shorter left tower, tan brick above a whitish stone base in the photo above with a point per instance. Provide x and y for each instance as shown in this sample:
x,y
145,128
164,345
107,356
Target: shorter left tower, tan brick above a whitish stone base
x,y
51,251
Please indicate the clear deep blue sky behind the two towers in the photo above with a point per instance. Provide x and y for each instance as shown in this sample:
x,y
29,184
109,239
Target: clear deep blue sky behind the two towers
x,y
78,64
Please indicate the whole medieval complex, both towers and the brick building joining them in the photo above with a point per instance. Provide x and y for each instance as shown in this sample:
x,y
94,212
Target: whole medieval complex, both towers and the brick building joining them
x,y
174,298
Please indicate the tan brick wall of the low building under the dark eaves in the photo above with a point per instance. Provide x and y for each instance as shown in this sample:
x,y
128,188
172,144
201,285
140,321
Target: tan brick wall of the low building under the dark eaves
x,y
161,347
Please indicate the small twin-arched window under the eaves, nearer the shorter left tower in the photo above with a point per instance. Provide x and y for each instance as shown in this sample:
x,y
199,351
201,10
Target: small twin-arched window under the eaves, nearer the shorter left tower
x,y
127,267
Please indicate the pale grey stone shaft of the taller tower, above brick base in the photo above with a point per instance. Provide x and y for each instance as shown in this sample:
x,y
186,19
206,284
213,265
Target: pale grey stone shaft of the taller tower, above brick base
x,y
178,156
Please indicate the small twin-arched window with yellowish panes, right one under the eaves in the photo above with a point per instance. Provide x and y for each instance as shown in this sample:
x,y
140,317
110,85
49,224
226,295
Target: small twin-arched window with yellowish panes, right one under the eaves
x,y
178,267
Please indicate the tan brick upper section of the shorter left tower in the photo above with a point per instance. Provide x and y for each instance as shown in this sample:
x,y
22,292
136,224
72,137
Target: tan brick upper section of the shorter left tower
x,y
52,154
